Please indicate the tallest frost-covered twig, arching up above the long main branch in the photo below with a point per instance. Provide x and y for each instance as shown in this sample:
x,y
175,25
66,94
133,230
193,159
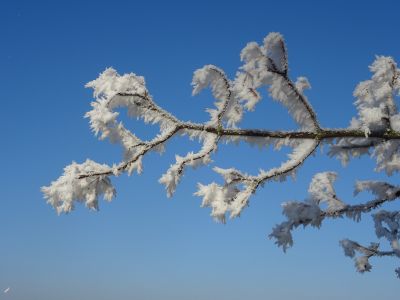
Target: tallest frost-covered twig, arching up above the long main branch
x,y
268,65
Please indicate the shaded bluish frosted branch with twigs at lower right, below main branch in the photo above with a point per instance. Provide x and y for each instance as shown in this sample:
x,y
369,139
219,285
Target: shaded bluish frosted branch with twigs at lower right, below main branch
x,y
322,192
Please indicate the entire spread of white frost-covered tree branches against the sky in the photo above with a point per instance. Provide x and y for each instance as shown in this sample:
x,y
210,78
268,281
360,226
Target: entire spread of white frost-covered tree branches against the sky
x,y
375,132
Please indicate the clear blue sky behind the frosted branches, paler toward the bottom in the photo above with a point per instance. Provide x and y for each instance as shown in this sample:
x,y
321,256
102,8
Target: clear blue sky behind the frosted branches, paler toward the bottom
x,y
142,245
